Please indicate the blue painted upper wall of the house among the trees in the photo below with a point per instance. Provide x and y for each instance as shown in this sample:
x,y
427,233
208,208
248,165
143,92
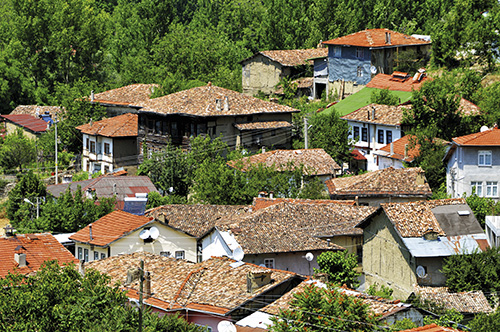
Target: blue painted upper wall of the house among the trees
x,y
345,66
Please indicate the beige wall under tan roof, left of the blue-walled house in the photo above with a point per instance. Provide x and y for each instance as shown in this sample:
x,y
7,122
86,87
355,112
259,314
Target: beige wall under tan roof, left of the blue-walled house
x,y
261,73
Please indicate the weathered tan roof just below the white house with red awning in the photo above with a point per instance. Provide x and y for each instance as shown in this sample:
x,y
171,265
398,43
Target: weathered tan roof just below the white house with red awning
x,y
385,182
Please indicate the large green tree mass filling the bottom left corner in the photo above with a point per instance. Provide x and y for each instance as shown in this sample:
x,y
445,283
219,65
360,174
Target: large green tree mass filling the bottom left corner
x,y
61,299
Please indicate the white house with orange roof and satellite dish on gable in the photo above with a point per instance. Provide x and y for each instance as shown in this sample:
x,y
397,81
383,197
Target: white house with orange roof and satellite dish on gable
x,y
121,233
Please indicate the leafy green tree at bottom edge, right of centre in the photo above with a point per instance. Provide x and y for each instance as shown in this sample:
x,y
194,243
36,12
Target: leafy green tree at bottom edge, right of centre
x,y
319,309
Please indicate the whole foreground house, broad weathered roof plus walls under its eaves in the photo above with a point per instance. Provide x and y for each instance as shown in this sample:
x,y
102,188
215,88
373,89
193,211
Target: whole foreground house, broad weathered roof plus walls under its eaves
x,y
206,293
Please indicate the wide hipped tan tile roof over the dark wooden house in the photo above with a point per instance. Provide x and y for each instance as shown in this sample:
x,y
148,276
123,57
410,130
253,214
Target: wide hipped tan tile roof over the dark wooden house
x,y
210,100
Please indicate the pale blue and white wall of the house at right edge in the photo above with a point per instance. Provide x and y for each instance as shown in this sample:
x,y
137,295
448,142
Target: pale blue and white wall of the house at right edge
x,y
462,169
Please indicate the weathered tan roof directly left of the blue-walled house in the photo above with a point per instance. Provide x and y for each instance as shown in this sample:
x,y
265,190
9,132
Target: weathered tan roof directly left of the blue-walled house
x,y
292,58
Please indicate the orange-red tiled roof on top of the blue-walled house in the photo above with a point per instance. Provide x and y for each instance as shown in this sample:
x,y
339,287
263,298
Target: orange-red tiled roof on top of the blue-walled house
x,y
376,38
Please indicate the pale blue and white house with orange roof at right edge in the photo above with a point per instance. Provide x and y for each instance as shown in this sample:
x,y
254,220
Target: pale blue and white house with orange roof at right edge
x,y
473,164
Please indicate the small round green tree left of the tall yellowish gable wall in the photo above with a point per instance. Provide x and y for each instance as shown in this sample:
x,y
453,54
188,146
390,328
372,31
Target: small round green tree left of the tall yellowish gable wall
x,y
340,266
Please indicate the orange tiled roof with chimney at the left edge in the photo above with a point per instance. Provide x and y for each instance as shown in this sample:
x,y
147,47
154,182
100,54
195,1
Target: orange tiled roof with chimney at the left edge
x,y
38,249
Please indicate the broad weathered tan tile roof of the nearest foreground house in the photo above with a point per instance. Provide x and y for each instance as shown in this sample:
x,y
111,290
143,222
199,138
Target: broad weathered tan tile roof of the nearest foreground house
x,y
211,286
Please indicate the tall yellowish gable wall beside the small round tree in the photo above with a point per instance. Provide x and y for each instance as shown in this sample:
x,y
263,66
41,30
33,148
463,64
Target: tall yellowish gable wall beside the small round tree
x,y
386,261
